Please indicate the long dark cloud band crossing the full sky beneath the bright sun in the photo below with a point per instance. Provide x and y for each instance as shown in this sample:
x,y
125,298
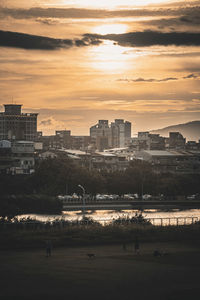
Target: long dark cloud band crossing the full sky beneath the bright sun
x,y
132,39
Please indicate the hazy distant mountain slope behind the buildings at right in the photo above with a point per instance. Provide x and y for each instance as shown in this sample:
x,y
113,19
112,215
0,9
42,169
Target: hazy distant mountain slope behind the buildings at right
x,y
190,130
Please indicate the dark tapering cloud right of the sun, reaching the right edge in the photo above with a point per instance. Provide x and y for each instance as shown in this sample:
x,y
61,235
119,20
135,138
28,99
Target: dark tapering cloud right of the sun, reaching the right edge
x,y
151,38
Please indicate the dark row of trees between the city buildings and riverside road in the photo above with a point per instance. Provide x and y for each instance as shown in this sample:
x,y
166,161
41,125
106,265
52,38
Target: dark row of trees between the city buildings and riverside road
x,y
60,176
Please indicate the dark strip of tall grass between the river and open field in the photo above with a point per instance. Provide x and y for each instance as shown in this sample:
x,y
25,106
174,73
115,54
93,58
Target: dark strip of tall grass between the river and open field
x,y
78,236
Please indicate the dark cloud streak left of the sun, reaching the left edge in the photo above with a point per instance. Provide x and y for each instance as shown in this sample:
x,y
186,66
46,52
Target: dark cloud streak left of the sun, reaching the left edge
x,y
28,41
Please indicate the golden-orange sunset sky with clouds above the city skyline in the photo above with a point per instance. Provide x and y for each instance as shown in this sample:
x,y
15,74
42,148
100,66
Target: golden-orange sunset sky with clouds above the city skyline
x,y
77,61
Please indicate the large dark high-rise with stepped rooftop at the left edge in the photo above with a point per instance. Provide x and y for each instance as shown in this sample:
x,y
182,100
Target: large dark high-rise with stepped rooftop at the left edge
x,y
15,125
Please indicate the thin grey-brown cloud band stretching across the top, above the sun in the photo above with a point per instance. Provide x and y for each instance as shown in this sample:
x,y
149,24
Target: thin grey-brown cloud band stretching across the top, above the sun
x,y
53,12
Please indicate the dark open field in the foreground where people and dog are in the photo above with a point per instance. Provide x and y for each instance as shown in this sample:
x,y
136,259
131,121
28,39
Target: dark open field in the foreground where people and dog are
x,y
112,274
